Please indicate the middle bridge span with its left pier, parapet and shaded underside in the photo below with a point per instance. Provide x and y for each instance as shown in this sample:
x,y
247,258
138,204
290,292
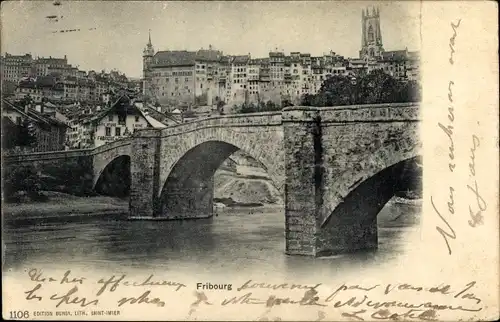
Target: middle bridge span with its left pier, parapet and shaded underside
x,y
186,156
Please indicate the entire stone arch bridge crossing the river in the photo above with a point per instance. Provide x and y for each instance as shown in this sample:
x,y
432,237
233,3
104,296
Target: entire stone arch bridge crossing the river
x,y
337,167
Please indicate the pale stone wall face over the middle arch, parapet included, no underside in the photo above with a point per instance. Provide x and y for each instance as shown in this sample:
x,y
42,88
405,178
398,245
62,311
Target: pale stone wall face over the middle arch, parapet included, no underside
x,y
259,135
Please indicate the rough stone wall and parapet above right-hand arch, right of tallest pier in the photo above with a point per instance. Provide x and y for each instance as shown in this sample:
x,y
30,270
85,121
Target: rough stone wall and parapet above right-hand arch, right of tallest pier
x,y
360,141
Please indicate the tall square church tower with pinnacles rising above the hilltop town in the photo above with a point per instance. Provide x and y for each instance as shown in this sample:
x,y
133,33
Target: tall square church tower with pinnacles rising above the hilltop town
x,y
371,37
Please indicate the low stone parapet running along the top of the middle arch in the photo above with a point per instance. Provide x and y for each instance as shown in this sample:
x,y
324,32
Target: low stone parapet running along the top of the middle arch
x,y
234,120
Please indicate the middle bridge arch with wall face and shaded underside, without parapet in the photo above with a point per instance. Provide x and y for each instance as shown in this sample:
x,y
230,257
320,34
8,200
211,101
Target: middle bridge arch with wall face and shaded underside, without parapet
x,y
187,165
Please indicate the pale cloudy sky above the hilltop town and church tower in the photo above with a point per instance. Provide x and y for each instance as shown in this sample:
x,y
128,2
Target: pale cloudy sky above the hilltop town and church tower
x,y
234,27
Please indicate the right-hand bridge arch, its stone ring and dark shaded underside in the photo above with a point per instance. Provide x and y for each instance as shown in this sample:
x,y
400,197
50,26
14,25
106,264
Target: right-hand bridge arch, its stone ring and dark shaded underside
x,y
348,216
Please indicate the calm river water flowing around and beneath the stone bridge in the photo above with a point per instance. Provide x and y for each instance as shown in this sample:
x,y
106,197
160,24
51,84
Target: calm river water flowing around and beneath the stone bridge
x,y
242,240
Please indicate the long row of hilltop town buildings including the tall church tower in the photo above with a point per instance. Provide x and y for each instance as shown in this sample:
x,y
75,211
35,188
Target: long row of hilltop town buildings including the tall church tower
x,y
183,79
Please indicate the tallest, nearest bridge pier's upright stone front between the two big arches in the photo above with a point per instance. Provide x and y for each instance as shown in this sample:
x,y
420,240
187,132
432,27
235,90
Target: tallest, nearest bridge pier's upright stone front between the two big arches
x,y
302,135
